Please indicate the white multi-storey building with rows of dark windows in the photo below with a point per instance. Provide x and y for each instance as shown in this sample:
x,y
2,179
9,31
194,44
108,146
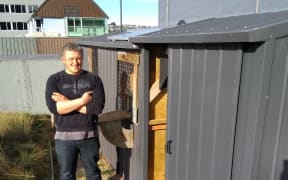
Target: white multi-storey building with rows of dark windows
x,y
14,15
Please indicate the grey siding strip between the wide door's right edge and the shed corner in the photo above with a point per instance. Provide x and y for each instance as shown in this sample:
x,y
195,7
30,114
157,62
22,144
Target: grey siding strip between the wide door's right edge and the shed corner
x,y
257,61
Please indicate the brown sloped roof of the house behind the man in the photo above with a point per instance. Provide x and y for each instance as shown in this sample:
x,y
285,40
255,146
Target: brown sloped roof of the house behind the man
x,y
69,8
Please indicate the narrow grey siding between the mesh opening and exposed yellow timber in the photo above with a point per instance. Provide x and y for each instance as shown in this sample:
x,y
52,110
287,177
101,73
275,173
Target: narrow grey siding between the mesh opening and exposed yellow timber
x,y
139,158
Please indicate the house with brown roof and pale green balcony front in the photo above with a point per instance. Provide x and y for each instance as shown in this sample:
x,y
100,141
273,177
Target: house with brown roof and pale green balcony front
x,y
68,18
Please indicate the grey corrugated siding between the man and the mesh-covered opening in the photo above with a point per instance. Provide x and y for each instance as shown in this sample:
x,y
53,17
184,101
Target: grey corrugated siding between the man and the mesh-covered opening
x,y
107,70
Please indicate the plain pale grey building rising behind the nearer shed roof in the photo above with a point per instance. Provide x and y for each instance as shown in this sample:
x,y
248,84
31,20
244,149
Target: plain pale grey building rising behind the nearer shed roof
x,y
174,12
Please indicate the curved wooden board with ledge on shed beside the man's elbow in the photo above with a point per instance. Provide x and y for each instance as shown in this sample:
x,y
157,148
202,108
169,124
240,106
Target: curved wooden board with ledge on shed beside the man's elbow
x,y
113,131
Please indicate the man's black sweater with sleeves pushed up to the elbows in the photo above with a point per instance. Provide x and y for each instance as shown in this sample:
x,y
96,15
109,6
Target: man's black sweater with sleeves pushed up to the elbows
x,y
73,86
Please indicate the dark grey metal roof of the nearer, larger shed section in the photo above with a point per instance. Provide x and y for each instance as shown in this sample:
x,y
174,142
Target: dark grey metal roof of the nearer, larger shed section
x,y
244,28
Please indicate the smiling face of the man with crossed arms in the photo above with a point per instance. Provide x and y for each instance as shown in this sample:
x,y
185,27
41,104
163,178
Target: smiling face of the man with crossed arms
x,y
73,62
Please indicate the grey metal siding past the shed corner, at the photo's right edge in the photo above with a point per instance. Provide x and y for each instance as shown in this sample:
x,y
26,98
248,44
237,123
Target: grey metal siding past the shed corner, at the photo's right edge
x,y
274,150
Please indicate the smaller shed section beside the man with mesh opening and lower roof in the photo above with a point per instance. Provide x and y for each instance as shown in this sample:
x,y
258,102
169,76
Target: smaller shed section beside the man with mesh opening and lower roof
x,y
119,64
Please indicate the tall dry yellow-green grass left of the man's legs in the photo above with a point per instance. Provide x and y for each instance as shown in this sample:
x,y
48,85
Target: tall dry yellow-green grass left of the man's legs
x,y
24,146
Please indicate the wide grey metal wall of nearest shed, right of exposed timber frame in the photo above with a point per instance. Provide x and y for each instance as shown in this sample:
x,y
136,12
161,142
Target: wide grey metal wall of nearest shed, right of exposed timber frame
x,y
230,120
